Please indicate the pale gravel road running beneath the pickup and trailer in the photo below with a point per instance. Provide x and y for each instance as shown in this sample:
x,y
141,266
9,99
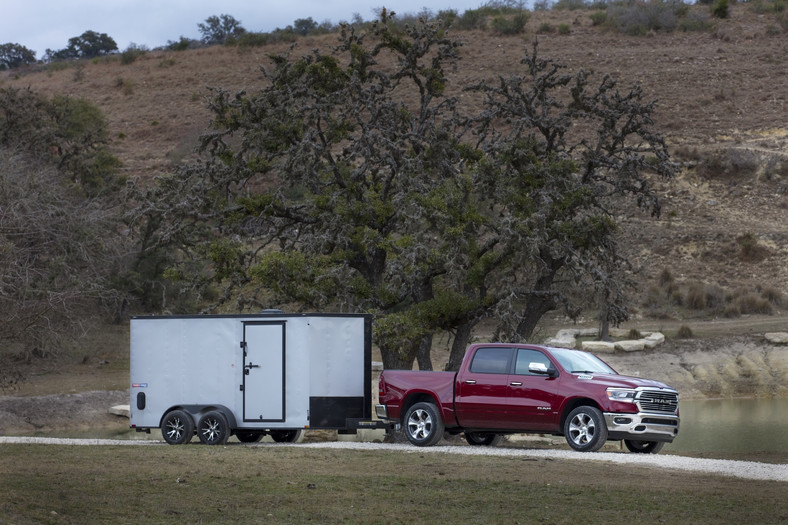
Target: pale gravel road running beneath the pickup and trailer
x,y
739,469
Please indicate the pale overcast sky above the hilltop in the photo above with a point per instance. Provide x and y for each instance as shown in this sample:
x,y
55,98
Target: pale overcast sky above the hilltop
x,y
48,24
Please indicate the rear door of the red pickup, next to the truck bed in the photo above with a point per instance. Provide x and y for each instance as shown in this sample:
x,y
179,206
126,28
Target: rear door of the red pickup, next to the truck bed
x,y
480,398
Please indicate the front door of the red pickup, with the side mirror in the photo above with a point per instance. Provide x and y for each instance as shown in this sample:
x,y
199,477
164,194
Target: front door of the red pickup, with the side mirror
x,y
533,397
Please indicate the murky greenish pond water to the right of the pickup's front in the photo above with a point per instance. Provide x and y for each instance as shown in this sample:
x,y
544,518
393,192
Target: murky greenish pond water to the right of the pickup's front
x,y
732,425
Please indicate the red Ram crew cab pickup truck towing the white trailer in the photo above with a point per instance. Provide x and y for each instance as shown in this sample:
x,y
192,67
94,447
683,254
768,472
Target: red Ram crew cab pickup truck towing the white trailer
x,y
520,388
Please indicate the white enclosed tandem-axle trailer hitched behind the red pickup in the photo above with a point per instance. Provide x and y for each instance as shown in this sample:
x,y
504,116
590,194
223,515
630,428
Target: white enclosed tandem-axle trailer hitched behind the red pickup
x,y
250,375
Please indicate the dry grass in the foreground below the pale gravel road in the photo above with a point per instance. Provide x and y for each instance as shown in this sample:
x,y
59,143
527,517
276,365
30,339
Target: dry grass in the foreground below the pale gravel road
x,y
190,484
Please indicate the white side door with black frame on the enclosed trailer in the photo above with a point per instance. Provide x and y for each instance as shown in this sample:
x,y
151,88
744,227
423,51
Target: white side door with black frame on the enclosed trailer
x,y
264,371
